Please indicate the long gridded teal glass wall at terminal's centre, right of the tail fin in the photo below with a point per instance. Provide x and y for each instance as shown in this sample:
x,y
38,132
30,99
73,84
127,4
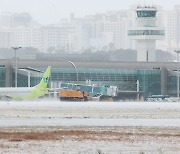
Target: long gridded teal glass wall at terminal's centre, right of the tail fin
x,y
124,79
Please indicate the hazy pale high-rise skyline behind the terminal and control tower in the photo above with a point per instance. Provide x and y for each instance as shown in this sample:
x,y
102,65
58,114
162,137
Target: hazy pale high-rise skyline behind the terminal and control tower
x,y
105,31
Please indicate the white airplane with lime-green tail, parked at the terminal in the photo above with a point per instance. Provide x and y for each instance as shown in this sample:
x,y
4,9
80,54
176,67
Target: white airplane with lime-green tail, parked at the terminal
x,y
27,93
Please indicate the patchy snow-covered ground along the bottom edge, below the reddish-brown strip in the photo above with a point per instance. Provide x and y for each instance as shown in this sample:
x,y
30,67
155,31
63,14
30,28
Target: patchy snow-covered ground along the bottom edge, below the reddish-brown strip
x,y
89,147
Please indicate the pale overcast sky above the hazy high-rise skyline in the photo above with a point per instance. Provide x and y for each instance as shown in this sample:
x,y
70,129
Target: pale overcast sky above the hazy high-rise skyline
x,y
50,11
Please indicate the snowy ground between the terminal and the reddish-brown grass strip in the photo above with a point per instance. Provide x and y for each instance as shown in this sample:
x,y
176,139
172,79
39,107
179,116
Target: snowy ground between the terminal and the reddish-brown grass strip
x,y
57,113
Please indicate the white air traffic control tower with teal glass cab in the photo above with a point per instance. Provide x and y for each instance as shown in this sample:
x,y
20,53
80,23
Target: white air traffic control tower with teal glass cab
x,y
146,33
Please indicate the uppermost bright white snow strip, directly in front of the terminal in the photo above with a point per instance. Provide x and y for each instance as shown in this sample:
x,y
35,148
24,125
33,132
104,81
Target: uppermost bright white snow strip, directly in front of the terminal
x,y
57,103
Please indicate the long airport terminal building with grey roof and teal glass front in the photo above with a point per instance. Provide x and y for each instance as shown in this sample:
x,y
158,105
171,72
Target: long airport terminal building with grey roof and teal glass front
x,y
154,78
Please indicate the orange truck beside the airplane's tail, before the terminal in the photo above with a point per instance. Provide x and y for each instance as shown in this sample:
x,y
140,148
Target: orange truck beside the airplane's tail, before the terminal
x,y
73,95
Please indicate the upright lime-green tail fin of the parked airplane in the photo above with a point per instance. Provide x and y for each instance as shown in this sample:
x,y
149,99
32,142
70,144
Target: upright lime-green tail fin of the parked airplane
x,y
44,81
